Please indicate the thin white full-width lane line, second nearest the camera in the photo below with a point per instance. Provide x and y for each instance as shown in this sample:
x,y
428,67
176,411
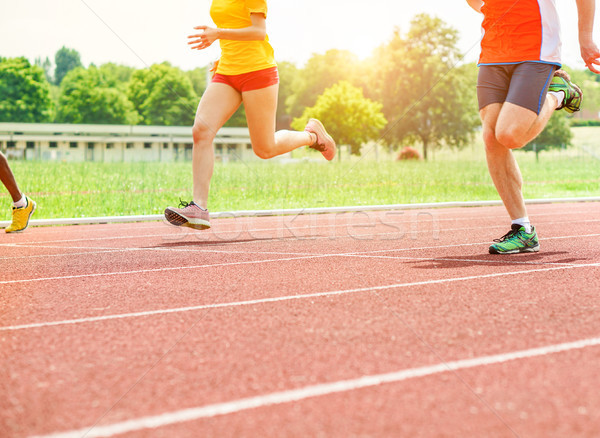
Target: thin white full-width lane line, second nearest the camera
x,y
285,298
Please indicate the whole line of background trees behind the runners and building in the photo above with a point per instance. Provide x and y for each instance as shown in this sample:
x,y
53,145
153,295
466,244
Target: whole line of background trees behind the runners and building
x,y
414,89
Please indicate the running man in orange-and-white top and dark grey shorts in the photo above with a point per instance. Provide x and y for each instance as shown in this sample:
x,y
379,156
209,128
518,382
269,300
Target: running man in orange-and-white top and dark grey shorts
x,y
518,88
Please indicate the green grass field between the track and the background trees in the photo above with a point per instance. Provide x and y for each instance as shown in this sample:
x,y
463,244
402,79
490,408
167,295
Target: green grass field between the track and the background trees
x,y
101,189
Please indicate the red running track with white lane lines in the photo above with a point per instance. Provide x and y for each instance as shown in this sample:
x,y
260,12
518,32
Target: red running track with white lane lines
x,y
379,324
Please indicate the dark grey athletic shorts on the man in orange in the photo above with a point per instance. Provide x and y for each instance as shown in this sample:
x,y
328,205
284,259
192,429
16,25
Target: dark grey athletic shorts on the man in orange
x,y
524,84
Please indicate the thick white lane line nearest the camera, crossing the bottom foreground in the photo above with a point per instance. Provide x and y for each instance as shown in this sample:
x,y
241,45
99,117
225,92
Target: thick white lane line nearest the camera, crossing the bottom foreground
x,y
319,390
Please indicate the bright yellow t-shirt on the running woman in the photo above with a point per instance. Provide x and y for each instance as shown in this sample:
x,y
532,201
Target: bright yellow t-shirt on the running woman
x,y
238,57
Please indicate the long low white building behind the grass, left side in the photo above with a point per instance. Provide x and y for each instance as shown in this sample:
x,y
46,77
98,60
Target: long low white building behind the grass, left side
x,y
112,143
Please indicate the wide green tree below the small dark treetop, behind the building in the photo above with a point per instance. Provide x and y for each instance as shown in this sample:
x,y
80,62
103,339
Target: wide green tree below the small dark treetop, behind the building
x,y
87,96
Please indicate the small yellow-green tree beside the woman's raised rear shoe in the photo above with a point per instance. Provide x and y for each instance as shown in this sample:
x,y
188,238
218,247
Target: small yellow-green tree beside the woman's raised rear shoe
x,y
350,118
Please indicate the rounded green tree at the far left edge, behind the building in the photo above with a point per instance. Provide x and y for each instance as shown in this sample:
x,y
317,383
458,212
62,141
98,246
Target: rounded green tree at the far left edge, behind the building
x,y
24,91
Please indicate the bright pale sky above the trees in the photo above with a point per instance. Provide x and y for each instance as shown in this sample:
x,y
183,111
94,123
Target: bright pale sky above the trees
x,y
142,32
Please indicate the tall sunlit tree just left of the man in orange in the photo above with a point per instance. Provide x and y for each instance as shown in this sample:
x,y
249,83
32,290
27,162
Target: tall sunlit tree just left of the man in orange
x,y
425,97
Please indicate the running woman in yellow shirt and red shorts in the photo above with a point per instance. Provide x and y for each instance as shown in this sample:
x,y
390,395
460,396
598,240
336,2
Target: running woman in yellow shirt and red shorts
x,y
246,73
